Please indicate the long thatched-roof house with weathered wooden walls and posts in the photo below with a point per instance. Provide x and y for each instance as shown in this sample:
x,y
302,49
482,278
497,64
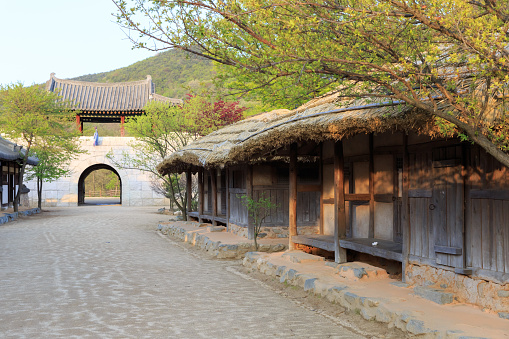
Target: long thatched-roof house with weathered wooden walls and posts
x,y
360,179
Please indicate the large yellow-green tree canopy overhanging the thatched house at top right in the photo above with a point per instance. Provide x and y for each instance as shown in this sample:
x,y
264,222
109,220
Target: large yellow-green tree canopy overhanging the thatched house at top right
x,y
447,58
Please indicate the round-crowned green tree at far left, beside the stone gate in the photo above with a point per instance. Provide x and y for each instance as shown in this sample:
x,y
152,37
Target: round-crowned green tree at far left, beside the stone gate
x,y
34,116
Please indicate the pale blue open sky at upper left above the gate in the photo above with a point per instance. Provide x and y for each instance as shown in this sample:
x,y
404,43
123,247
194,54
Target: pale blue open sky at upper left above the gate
x,y
68,37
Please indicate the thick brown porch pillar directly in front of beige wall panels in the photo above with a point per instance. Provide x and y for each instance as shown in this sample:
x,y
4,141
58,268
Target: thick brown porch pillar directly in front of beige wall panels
x,y
339,202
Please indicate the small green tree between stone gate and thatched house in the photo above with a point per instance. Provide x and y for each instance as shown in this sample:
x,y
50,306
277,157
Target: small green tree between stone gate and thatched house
x,y
165,129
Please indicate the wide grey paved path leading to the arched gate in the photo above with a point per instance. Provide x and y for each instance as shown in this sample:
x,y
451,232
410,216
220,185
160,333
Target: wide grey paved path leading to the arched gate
x,y
103,272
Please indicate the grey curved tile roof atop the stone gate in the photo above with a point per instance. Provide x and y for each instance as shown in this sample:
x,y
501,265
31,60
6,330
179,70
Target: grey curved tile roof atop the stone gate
x,y
95,96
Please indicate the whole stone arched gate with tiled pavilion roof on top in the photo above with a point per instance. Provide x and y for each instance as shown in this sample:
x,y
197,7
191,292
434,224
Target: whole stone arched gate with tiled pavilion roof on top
x,y
103,103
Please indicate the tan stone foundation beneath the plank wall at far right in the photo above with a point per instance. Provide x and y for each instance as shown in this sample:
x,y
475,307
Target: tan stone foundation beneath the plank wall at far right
x,y
486,294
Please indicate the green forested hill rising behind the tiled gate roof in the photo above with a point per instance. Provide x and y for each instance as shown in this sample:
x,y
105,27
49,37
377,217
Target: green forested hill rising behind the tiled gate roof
x,y
173,73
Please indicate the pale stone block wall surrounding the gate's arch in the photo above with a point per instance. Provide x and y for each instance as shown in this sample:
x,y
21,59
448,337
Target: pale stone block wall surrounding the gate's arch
x,y
136,190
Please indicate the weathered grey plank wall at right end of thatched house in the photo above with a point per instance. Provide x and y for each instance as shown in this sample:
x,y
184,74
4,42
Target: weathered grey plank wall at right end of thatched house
x,y
459,208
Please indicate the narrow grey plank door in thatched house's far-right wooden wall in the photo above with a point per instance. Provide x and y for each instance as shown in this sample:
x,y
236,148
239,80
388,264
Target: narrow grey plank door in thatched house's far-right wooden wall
x,y
447,206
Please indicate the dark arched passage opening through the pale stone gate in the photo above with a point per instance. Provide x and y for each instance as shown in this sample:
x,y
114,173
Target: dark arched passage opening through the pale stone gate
x,y
99,184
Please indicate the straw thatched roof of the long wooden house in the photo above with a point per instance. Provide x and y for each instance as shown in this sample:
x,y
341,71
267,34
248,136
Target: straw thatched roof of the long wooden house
x,y
252,139
